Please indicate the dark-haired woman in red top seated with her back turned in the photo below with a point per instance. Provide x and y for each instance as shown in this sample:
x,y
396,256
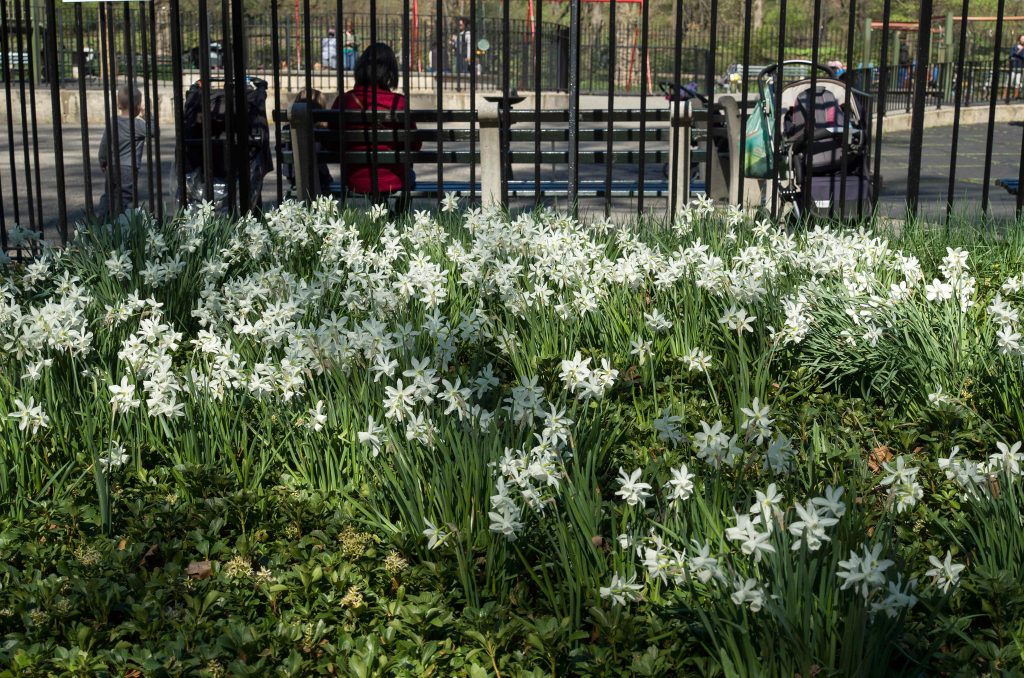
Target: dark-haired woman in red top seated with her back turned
x,y
376,77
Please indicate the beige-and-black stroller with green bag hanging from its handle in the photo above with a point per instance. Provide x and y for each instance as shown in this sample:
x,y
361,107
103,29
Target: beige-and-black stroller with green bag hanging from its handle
x,y
815,159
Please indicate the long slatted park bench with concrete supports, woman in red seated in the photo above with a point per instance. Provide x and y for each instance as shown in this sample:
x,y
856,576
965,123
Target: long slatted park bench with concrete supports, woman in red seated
x,y
357,129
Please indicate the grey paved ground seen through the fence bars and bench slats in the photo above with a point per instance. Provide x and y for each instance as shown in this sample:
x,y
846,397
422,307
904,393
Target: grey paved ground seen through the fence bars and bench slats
x,y
935,173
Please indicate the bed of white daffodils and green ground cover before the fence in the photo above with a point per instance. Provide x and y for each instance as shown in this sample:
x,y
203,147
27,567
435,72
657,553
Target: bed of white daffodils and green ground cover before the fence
x,y
322,443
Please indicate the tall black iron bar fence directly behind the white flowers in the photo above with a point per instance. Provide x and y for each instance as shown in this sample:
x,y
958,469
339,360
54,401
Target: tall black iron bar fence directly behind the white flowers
x,y
581,111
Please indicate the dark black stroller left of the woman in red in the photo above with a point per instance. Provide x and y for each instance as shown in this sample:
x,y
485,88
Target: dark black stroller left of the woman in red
x,y
259,156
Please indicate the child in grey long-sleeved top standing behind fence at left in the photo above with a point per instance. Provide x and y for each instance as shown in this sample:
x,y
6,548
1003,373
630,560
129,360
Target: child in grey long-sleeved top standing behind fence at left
x,y
133,132
